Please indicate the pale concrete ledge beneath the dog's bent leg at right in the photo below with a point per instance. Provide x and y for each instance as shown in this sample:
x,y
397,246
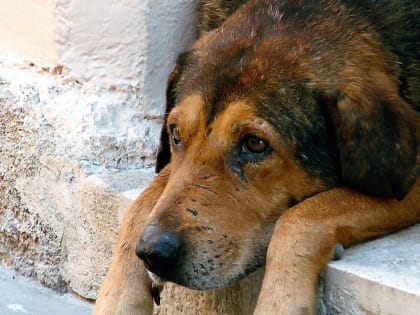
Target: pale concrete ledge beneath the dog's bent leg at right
x,y
377,278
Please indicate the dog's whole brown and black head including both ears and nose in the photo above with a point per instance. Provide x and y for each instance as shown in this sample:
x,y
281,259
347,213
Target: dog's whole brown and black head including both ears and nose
x,y
258,121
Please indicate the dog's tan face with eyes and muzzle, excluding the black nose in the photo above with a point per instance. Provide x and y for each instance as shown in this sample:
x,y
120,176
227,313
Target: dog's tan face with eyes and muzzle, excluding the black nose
x,y
229,181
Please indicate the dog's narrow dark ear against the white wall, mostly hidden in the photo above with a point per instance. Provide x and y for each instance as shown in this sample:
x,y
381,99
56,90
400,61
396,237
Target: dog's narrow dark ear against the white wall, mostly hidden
x,y
164,151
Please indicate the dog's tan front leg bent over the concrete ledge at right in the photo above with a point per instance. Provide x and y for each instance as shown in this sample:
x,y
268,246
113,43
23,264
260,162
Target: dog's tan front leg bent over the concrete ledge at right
x,y
305,237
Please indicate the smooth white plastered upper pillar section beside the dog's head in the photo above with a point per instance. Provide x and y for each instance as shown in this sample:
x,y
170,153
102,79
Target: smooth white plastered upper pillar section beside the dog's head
x,y
127,45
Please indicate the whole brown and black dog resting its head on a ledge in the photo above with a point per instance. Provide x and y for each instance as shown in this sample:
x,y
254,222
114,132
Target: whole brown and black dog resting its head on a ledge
x,y
278,114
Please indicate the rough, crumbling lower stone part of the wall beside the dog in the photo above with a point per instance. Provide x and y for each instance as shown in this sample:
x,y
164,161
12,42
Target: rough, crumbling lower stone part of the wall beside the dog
x,y
67,155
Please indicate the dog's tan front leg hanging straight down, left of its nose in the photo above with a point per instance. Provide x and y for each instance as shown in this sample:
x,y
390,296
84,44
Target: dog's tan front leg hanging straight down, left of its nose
x,y
126,288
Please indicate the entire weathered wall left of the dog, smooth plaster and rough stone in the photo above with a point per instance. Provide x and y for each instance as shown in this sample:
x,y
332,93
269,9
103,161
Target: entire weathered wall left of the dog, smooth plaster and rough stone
x,y
80,117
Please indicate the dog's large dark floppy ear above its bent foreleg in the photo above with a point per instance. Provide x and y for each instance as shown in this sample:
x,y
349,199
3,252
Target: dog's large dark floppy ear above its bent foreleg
x,y
378,139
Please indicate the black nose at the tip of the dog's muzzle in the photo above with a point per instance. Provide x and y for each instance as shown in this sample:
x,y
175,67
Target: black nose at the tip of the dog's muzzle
x,y
159,251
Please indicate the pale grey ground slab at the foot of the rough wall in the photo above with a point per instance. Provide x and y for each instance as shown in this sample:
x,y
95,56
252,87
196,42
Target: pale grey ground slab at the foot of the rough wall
x,y
20,296
